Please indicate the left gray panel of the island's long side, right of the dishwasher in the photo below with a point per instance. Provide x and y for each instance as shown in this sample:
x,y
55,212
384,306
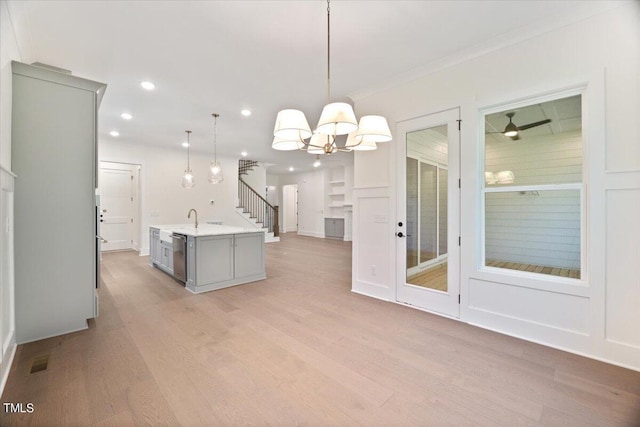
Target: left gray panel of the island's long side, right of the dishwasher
x,y
214,261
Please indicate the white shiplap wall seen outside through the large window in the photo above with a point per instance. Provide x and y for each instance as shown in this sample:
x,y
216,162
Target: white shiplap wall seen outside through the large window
x,y
535,227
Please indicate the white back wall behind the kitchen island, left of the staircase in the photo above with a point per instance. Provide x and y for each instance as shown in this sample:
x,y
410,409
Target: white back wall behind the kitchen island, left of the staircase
x,y
164,201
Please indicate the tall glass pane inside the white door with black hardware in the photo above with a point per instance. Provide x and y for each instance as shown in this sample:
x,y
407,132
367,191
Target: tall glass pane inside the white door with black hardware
x,y
427,158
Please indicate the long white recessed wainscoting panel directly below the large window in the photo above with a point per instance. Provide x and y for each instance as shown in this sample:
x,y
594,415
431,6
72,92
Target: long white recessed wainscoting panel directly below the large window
x,y
569,313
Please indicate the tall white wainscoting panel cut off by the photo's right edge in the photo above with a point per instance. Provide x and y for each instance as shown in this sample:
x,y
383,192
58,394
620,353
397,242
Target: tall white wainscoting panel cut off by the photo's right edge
x,y
623,267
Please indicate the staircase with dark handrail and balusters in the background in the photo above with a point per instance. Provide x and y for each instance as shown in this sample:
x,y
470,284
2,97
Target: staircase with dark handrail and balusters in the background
x,y
254,208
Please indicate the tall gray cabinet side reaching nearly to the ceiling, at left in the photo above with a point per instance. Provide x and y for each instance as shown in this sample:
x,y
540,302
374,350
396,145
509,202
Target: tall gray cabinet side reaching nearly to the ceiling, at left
x,y
54,150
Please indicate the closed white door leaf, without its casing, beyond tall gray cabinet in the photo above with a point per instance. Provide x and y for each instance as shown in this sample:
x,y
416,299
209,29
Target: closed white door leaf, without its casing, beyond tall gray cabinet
x,y
116,209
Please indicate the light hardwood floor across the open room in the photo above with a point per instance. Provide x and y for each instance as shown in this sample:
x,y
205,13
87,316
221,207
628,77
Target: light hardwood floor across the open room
x,y
300,348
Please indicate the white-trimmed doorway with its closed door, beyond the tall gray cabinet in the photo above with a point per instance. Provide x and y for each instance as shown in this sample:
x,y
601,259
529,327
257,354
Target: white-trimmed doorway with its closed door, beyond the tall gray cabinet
x,y
119,206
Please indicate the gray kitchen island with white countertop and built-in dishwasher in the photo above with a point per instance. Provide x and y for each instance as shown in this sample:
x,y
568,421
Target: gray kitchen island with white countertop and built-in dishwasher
x,y
213,256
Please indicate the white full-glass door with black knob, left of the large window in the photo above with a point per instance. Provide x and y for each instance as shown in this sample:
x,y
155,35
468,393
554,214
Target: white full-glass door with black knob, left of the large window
x,y
428,228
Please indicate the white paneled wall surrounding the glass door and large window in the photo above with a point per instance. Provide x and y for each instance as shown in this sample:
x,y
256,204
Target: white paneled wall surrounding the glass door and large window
x,y
598,316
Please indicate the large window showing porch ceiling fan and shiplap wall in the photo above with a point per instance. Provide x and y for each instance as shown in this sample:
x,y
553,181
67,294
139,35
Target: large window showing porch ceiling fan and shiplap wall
x,y
533,188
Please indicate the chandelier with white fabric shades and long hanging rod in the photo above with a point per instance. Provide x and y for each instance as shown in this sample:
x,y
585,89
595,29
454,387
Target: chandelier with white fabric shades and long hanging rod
x,y
292,131
